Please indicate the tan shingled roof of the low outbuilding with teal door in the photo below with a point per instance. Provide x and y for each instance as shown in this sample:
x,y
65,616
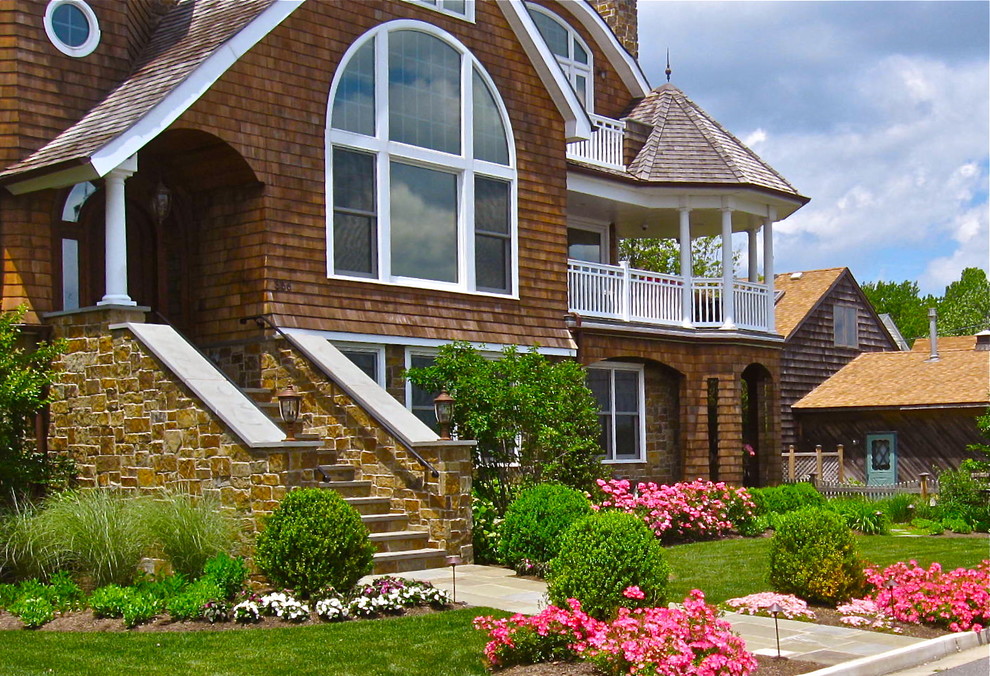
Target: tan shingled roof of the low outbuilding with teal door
x,y
905,380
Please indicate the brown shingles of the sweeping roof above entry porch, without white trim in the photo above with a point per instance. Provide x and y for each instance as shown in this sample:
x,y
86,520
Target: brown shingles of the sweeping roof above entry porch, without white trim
x,y
183,40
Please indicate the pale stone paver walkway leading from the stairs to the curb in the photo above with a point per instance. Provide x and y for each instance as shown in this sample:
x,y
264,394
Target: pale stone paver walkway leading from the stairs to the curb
x,y
493,587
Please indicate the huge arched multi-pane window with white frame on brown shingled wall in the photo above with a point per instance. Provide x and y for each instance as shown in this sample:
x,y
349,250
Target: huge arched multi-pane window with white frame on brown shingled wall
x,y
420,165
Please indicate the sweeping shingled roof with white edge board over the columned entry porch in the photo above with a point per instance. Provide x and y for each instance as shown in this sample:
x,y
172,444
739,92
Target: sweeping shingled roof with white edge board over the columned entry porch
x,y
192,46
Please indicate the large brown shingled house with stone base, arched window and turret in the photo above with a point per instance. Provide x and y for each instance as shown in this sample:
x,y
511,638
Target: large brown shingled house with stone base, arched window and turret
x,y
370,180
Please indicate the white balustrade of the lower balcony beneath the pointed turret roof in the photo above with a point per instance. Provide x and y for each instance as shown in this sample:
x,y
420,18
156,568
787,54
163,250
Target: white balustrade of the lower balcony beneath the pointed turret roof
x,y
624,293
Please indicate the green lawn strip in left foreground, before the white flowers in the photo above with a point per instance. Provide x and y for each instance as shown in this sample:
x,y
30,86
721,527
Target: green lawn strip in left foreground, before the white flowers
x,y
427,645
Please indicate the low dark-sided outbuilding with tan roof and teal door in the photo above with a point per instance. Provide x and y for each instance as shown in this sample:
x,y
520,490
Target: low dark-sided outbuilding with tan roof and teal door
x,y
903,413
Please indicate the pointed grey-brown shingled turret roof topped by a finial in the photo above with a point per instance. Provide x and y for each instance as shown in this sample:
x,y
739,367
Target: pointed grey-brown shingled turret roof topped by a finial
x,y
686,145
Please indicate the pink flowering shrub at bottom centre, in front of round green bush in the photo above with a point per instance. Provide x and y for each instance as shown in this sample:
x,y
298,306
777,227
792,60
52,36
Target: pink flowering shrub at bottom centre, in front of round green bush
x,y
685,641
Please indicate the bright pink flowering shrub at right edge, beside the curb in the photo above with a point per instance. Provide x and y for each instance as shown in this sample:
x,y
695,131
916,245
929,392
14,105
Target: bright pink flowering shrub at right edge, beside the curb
x,y
958,599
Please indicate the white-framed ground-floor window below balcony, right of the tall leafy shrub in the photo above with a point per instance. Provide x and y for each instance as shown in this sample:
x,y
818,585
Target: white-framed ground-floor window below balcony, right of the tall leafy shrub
x,y
621,395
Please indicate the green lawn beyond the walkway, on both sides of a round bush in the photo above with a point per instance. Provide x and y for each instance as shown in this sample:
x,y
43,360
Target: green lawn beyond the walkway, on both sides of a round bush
x,y
725,569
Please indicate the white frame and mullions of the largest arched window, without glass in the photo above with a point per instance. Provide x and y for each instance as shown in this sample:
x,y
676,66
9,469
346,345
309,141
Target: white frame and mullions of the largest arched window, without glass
x,y
386,150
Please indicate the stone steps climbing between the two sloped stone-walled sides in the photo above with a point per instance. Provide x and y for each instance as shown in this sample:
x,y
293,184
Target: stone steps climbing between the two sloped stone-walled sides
x,y
399,549
